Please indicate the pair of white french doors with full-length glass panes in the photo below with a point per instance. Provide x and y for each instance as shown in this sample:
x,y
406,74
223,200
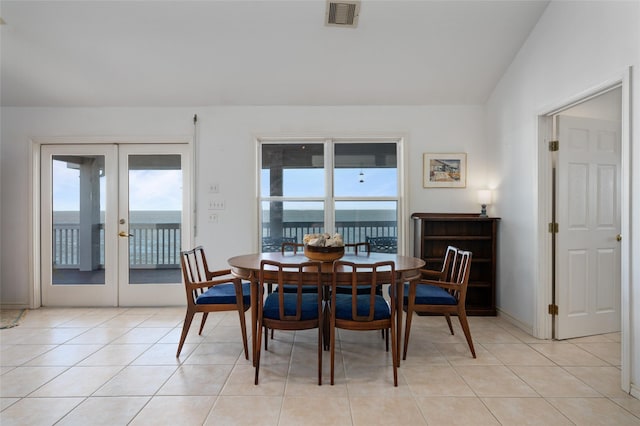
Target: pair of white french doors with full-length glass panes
x,y
114,219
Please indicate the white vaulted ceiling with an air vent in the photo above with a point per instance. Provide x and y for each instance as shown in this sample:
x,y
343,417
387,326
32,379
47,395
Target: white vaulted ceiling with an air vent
x,y
237,52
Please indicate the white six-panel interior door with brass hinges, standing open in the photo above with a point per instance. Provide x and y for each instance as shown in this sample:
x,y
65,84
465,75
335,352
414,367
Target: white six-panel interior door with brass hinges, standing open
x,y
588,214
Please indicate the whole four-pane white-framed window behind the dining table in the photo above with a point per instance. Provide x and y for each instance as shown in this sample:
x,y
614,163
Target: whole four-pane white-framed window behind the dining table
x,y
313,186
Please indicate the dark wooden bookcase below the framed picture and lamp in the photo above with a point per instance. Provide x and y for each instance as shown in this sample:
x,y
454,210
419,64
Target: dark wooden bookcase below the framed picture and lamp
x,y
433,232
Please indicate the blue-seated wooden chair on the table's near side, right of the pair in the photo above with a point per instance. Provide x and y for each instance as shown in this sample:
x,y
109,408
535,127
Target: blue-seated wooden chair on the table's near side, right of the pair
x,y
360,312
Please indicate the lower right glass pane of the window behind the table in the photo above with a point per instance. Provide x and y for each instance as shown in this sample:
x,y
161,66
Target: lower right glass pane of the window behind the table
x,y
372,221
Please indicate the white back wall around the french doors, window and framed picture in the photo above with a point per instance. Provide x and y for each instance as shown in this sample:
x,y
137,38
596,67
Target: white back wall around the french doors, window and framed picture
x,y
227,149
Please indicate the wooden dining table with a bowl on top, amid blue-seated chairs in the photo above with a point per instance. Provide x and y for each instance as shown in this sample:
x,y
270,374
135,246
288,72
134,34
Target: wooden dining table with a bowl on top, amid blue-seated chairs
x,y
247,267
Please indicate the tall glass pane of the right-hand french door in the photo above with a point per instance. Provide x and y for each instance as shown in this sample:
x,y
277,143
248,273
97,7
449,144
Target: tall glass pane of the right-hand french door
x,y
155,216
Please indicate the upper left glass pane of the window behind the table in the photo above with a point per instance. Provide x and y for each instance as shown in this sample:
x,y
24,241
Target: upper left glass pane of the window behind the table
x,y
292,170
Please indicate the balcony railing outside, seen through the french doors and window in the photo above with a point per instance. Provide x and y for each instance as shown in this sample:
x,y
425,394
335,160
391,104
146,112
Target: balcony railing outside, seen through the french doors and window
x,y
157,246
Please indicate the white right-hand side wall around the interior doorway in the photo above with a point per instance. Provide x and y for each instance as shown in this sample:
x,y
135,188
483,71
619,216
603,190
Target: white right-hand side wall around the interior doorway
x,y
575,47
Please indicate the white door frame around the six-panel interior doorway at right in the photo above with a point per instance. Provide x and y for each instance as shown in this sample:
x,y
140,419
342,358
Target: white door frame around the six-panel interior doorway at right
x,y
543,321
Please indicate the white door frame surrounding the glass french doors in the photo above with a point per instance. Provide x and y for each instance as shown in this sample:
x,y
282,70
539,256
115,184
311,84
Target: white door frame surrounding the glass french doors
x,y
33,263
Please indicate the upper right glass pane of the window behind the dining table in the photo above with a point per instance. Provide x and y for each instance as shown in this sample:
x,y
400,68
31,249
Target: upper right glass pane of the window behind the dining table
x,y
365,170
